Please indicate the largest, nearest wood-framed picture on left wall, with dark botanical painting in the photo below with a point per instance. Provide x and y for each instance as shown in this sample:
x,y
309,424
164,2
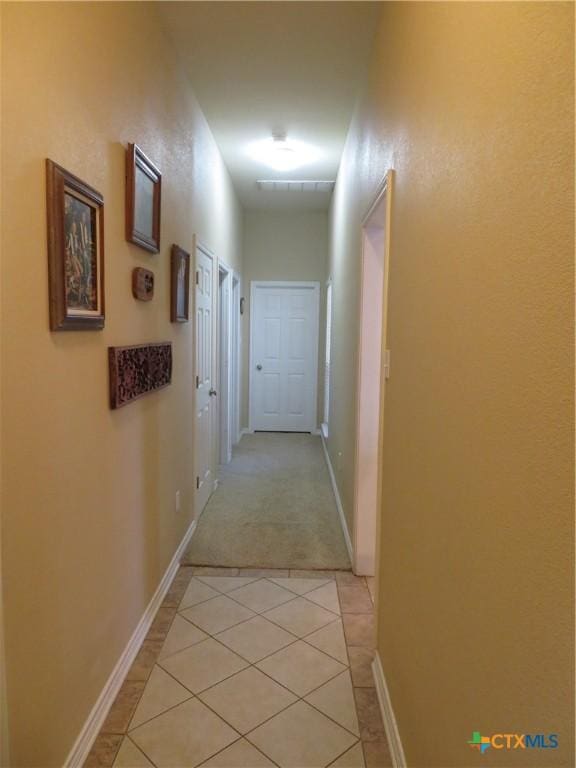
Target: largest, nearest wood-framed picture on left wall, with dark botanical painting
x,y
75,252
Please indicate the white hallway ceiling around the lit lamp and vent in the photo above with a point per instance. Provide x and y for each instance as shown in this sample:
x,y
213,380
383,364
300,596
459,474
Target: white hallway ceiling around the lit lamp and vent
x,y
262,66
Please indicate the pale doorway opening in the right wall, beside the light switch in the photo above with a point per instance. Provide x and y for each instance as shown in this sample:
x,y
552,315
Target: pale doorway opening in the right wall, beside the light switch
x,y
373,370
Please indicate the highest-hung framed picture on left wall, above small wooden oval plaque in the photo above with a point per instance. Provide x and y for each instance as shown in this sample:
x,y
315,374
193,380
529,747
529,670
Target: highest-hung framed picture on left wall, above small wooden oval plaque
x,y
143,188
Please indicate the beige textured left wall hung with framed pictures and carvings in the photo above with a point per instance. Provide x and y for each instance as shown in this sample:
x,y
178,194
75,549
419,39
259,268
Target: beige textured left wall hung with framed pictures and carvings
x,y
89,521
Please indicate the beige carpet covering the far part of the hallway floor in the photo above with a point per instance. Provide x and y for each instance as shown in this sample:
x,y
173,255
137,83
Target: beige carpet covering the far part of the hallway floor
x,y
274,508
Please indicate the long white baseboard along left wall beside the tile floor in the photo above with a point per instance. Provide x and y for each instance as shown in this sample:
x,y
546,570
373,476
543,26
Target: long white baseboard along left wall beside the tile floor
x,y
93,724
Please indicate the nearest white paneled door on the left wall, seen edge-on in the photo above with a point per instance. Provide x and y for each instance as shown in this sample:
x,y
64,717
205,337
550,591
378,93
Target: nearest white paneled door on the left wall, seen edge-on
x,y
205,393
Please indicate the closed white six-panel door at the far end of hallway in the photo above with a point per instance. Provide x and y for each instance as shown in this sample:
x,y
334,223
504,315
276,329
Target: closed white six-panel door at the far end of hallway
x,y
284,356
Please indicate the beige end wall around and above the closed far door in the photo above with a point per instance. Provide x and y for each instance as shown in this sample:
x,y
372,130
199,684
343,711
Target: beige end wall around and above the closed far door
x,y
284,245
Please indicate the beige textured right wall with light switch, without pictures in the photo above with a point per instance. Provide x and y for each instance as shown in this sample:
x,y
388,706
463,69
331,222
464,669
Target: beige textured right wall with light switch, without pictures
x,y
472,105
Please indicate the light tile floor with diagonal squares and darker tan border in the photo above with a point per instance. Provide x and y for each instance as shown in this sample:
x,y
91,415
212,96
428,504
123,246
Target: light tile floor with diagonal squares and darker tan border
x,y
243,669
